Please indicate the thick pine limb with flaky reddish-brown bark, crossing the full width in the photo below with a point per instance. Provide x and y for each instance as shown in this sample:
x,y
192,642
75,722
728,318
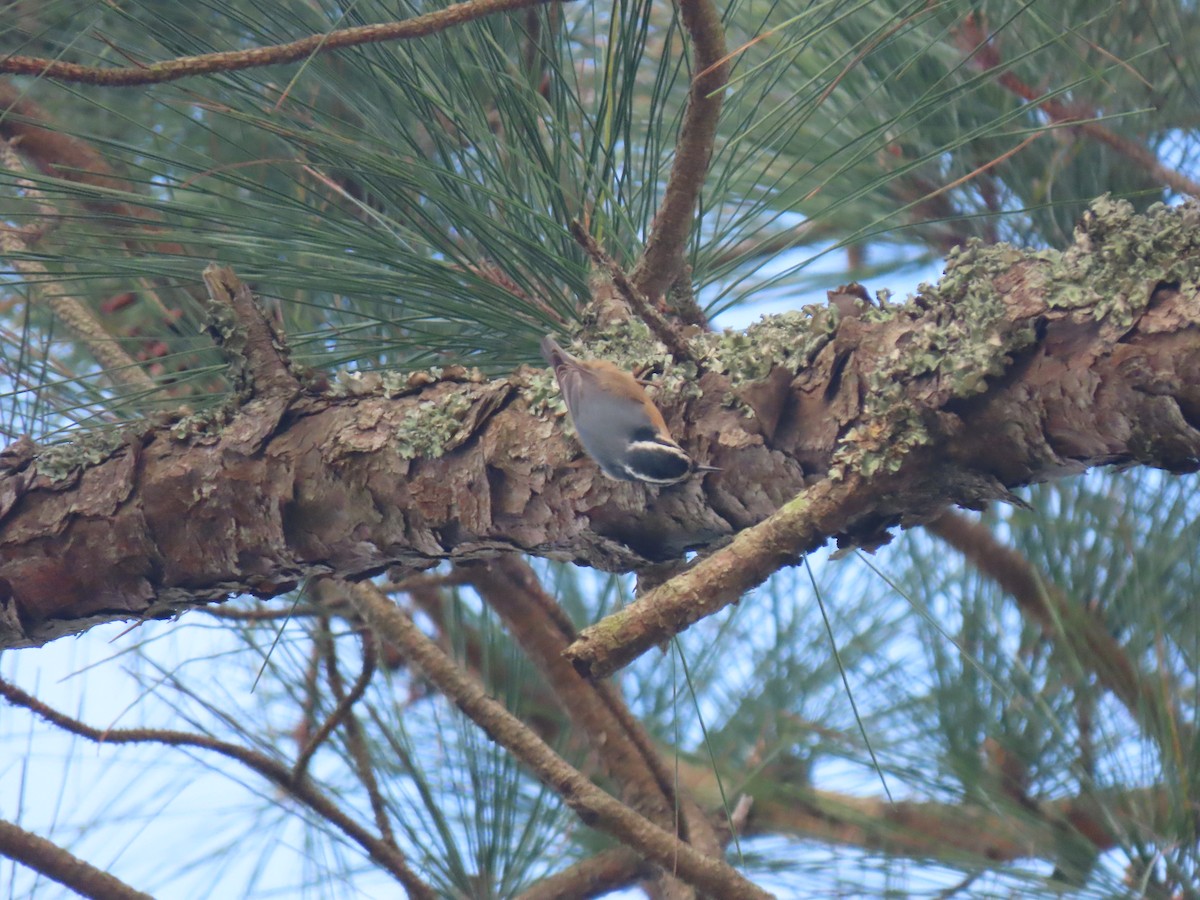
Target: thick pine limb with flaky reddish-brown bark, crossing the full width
x,y
1018,367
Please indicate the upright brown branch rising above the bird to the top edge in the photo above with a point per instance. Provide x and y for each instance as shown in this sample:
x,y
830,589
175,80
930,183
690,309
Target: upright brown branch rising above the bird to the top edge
x,y
663,256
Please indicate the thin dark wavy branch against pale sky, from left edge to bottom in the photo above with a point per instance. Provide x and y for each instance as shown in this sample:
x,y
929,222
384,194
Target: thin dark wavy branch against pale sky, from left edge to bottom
x,y
302,790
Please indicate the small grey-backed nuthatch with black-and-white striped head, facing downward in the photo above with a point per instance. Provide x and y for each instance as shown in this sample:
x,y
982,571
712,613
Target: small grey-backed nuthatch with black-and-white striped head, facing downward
x,y
617,424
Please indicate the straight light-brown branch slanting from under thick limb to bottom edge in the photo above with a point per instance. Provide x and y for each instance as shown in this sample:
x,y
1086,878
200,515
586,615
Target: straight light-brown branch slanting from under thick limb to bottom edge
x,y
593,806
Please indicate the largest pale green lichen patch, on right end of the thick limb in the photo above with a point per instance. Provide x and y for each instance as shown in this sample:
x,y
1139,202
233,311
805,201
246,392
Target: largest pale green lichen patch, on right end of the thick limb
x,y
964,337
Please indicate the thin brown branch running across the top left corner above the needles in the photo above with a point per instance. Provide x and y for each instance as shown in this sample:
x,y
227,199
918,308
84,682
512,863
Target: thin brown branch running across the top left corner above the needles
x,y
236,61
